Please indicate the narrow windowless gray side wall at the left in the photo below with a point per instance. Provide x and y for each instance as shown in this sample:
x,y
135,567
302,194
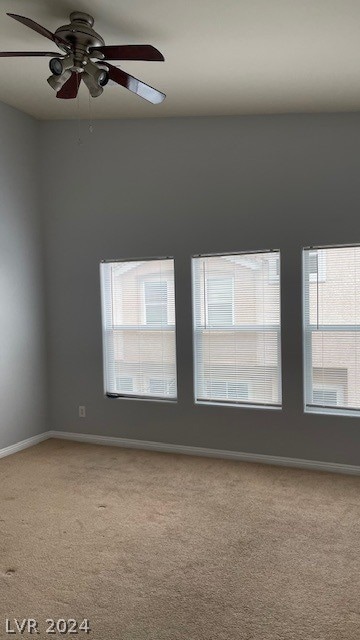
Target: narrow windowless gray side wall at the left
x,y
22,356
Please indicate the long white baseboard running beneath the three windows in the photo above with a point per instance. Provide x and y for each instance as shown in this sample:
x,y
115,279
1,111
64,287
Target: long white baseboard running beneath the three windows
x,y
149,445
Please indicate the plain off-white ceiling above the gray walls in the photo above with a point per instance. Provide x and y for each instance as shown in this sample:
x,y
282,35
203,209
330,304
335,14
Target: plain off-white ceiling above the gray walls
x,y
226,57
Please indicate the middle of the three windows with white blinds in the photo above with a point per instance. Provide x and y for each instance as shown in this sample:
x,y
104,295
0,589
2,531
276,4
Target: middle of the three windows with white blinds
x,y
236,319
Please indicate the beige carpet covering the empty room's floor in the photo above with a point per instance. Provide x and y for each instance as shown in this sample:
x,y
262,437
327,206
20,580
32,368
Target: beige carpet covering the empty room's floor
x,y
152,546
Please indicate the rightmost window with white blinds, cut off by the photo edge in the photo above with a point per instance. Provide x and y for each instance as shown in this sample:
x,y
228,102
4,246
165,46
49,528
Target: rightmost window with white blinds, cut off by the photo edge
x,y
331,280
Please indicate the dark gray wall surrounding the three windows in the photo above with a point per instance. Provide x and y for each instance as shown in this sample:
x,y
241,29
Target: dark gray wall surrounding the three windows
x,y
178,187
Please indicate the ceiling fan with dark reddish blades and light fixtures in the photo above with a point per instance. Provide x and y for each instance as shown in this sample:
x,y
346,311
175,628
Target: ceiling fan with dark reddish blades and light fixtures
x,y
85,57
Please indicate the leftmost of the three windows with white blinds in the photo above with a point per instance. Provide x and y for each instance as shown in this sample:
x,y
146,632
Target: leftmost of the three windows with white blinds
x,y
138,318
